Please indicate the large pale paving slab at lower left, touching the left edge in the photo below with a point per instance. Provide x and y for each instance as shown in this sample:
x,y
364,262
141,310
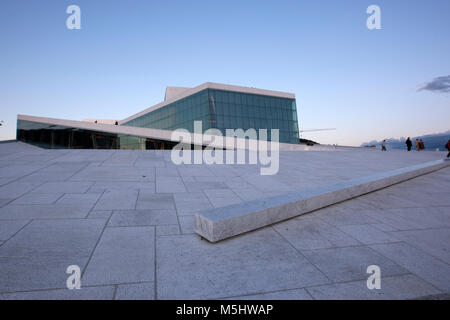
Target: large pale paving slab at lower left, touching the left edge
x,y
37,257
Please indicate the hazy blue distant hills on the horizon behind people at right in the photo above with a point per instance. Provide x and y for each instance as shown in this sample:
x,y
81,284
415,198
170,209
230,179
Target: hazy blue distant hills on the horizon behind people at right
x,y
431,141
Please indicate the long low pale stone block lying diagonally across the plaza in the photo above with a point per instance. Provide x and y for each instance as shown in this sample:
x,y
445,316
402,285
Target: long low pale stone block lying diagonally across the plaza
x,y
225,222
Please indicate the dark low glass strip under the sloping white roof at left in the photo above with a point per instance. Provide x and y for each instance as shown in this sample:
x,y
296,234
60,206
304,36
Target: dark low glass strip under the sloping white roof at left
x,y
60,137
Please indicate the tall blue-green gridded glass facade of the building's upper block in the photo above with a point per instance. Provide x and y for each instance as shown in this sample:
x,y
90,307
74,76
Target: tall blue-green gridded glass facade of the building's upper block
x,y
226,110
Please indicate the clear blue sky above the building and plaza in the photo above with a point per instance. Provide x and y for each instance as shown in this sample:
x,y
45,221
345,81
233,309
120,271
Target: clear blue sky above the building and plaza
x,y
364,83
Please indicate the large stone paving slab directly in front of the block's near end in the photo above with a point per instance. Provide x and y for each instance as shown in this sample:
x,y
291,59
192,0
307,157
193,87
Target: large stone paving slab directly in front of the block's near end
x,y
189,268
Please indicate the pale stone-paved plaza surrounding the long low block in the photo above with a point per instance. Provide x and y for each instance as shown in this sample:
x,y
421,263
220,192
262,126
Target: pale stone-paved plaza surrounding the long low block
x,y
126,219
